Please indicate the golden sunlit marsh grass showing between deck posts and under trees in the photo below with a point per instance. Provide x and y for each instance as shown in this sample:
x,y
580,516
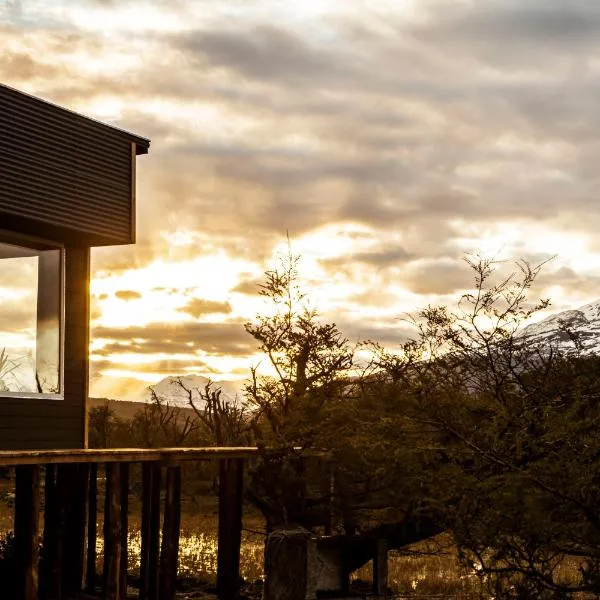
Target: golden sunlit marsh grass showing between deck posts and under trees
x,y
428,570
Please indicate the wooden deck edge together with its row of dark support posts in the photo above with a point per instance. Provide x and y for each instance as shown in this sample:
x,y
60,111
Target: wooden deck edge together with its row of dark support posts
x,y
68,530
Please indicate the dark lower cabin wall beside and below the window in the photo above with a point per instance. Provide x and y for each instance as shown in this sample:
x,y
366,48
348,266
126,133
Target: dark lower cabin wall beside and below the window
x,y
31,423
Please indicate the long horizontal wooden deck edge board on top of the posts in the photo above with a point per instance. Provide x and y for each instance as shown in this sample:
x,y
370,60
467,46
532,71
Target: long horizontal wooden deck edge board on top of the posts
x,y
165,455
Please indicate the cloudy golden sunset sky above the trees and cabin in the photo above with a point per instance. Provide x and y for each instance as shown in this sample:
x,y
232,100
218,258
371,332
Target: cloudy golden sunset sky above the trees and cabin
x,y
389,138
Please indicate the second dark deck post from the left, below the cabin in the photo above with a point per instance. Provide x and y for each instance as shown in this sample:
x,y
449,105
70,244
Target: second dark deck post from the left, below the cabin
x,y
50,574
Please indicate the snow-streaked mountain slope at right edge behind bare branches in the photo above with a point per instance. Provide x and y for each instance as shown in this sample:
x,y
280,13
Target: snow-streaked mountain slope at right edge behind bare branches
x,y
584,322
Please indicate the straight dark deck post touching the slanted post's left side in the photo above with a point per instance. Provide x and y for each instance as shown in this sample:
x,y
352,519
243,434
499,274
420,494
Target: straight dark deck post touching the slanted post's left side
x,y
150,531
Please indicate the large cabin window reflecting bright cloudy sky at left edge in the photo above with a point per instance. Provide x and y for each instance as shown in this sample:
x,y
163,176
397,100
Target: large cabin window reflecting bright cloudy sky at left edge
x,y
31,301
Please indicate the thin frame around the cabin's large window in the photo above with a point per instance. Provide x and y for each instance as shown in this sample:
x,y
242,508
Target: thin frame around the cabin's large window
x,y
37,243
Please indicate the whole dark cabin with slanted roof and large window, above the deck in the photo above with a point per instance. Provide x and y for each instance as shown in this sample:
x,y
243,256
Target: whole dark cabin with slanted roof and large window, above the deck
x,y
67,184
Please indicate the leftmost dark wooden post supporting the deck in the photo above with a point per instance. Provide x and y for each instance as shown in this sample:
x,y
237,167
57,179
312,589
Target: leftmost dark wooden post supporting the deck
x,y
27,506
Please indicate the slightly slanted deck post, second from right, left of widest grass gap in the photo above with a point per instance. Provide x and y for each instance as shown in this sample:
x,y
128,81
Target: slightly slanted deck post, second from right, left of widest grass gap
x,y
169,552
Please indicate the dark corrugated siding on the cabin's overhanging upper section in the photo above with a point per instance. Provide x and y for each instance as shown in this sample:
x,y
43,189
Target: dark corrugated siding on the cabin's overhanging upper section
x,y
60,168
